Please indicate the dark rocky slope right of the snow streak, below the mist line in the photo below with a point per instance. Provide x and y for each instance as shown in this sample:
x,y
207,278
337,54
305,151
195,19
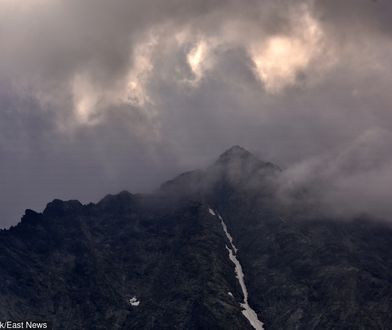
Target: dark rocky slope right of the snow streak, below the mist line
x,y
315,274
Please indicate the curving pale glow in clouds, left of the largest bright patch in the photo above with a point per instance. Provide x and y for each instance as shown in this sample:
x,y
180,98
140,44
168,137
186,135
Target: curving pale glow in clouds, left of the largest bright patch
x,y
90,98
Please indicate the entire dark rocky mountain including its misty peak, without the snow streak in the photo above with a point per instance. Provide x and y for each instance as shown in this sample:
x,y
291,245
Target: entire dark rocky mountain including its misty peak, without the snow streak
x,y
160,261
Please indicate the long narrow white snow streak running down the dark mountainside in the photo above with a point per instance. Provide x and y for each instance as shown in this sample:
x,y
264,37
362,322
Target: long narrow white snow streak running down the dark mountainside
x,y
247,311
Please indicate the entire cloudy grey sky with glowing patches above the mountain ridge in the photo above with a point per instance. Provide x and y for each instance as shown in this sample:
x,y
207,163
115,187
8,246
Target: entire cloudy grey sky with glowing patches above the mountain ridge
x,y
99,96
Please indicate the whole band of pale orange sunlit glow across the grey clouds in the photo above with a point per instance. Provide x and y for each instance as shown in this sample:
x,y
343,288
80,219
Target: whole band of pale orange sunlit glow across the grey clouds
x,y
185,56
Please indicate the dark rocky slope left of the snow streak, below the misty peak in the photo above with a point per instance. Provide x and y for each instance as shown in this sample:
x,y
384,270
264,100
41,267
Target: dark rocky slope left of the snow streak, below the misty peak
x,y
78,266
